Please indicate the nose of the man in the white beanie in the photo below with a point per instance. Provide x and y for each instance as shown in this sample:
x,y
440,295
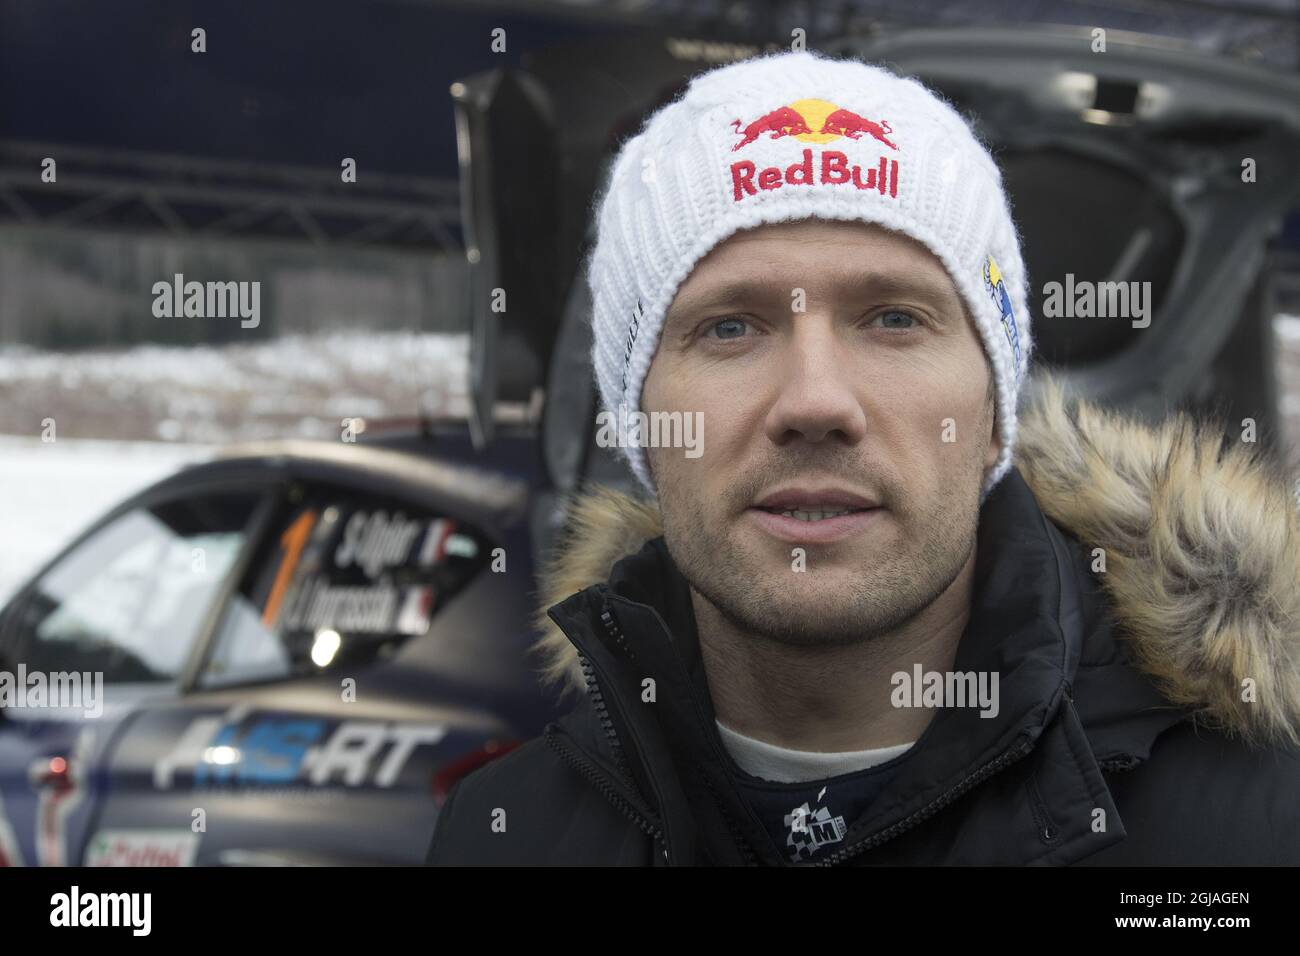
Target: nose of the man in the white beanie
x,y
818,393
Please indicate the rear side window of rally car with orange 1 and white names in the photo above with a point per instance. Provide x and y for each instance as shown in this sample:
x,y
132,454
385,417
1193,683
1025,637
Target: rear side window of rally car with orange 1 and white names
x,y
345,581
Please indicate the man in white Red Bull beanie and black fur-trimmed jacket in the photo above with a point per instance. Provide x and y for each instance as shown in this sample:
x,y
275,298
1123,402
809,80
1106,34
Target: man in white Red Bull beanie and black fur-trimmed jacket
x,y
876,618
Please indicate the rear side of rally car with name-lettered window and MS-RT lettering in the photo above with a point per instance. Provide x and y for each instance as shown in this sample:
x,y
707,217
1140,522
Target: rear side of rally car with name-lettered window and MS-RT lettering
x,y
302,739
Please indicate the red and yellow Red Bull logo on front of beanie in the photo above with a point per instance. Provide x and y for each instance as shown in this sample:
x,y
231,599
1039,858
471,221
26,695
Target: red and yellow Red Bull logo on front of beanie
x,y
818,123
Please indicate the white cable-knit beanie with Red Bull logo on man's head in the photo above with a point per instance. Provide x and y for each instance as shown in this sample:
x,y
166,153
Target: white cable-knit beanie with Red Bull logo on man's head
x,y
791,137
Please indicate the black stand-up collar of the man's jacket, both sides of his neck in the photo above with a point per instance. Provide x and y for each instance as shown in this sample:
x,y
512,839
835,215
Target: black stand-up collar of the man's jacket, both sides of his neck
x,y
1026,625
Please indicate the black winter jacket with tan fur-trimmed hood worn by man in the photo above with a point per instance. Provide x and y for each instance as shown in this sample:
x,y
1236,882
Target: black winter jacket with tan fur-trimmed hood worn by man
x,y
1149,713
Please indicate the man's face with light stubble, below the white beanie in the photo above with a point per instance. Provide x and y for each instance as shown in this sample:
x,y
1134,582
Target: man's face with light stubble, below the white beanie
x,y
874,401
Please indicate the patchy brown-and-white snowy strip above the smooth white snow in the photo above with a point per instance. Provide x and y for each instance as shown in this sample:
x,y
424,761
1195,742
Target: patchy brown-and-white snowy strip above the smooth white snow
x,y
293,387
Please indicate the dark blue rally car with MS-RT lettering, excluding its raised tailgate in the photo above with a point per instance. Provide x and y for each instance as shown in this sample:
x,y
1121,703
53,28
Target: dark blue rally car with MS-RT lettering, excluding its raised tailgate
x,y
301,647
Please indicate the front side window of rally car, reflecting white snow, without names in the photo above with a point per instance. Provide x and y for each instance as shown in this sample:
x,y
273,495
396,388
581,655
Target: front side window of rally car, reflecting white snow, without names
x,y
129,602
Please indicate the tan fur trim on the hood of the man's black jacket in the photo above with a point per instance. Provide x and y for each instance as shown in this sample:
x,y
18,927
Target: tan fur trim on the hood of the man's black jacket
x,y
1202,540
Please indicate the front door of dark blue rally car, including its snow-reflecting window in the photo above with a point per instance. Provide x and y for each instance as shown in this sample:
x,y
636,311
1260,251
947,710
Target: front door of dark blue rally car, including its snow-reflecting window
x,y
110,625
